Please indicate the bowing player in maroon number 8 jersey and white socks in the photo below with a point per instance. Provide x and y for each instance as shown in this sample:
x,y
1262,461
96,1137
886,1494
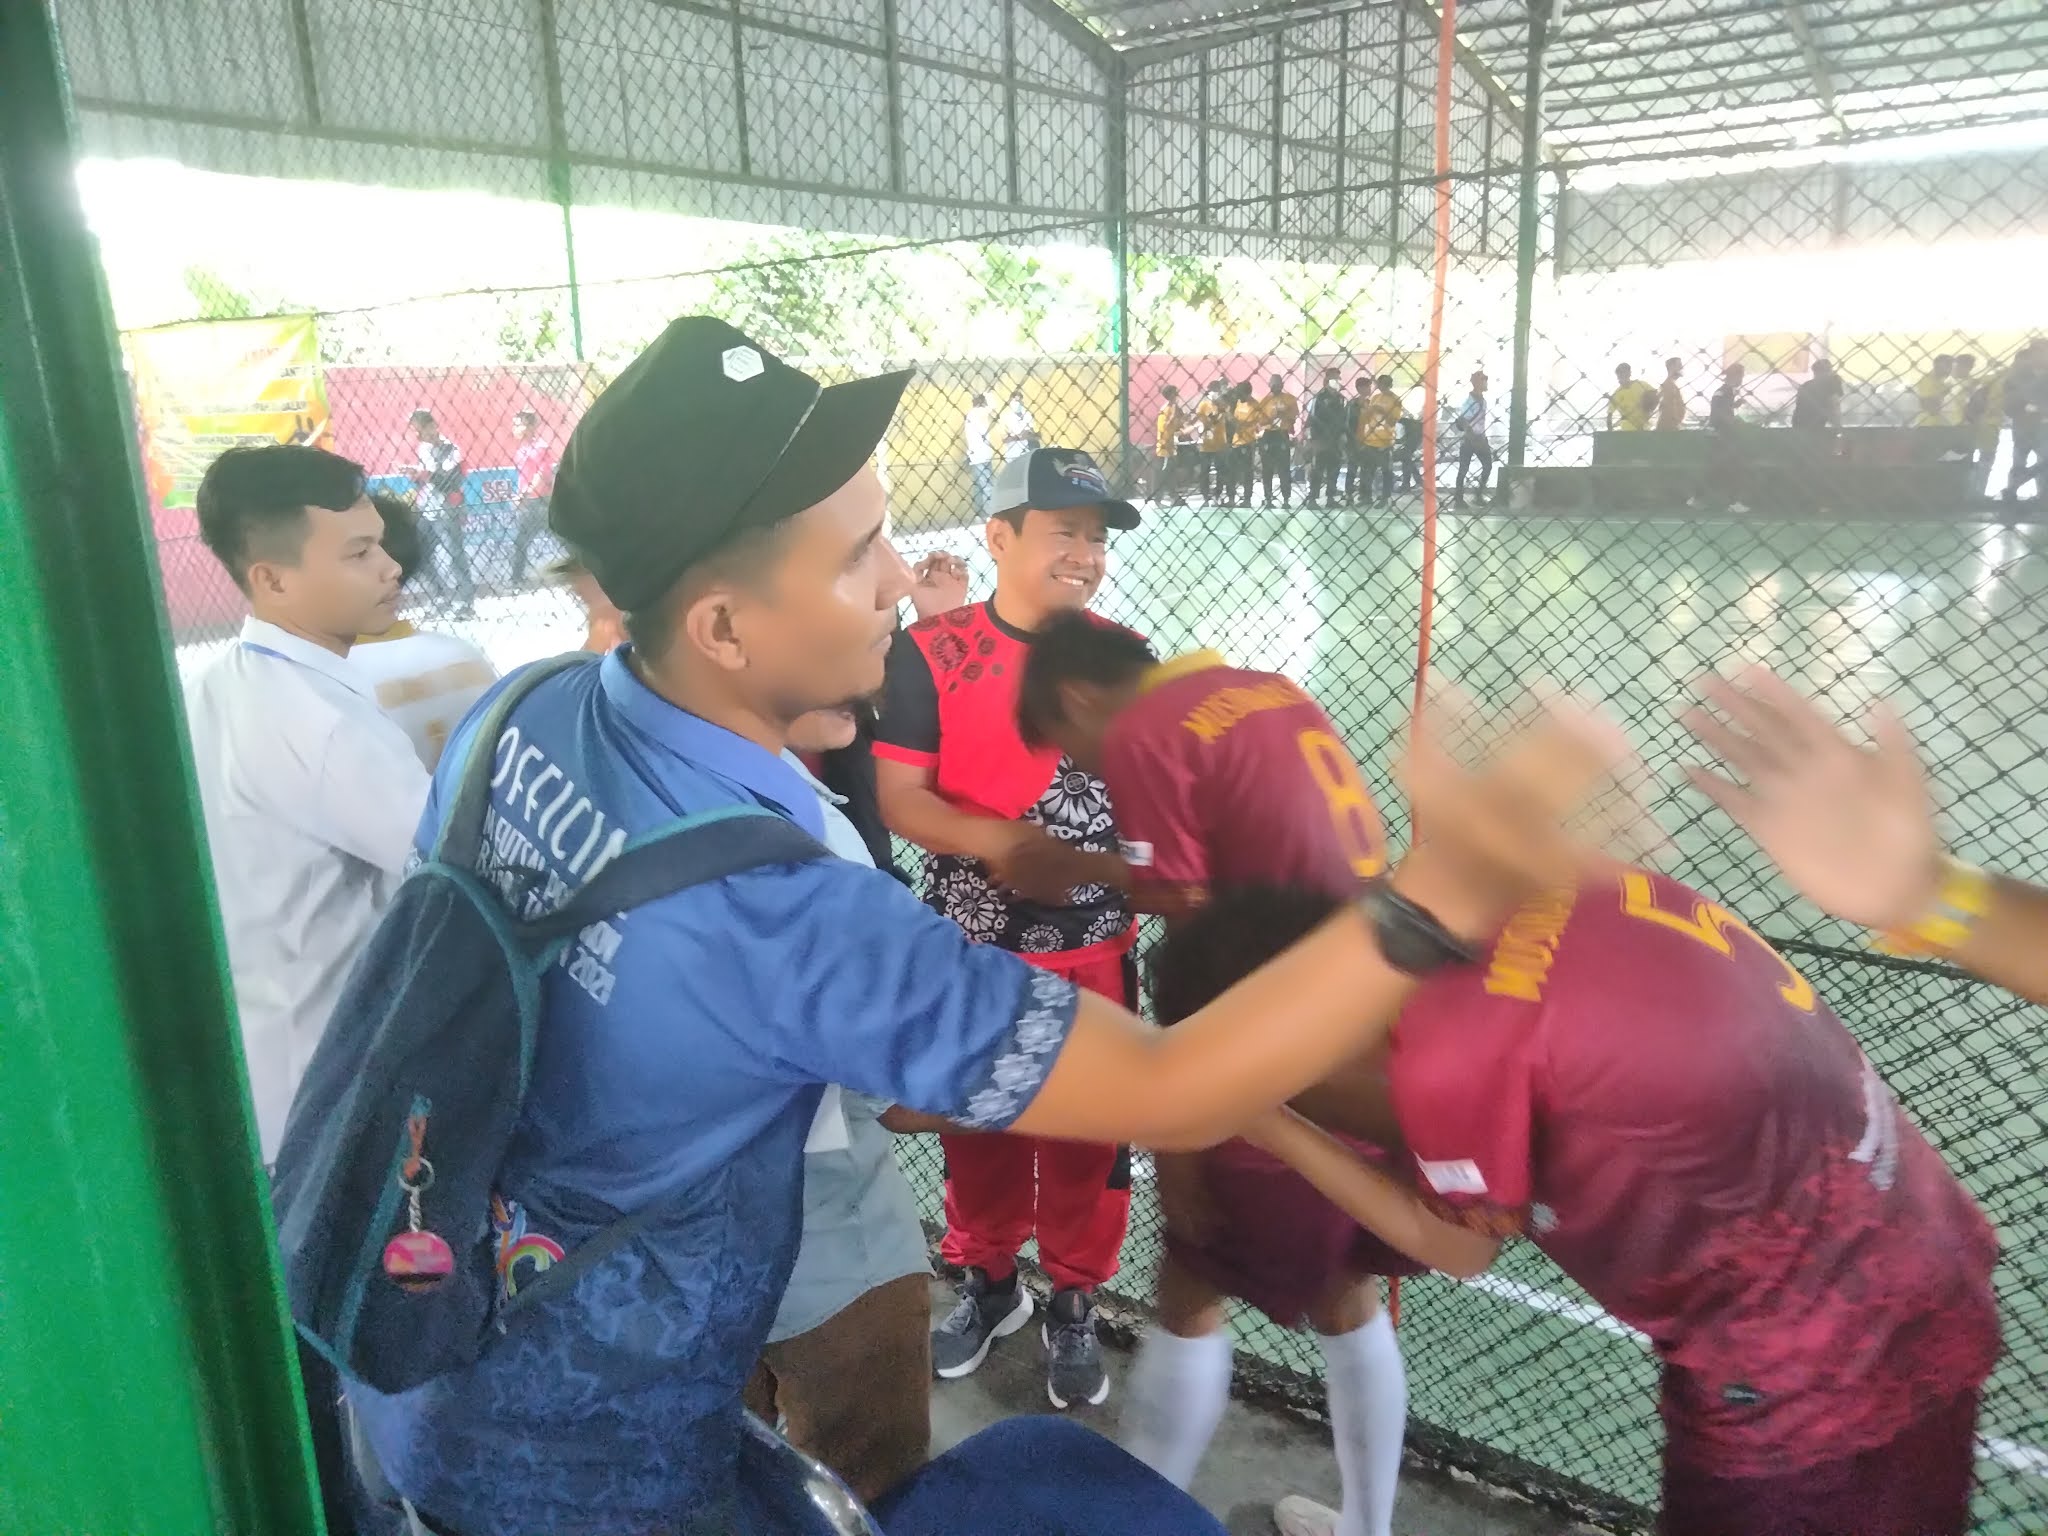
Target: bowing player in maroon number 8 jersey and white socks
x,y
1230,781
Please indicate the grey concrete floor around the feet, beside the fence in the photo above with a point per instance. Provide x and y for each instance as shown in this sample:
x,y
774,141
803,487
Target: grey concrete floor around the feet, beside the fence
x,y
1256,1459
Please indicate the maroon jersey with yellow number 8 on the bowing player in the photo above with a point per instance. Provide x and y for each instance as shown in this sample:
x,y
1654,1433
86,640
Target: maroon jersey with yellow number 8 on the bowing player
x,y
1228,777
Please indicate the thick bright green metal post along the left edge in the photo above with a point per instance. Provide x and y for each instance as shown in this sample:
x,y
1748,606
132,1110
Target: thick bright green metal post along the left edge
x,y
146,1369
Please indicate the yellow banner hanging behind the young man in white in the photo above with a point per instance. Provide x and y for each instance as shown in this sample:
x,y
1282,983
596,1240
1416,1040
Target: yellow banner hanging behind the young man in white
x,y
220,384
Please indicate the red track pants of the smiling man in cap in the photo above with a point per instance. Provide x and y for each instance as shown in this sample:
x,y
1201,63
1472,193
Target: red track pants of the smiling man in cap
x,y
1074,1195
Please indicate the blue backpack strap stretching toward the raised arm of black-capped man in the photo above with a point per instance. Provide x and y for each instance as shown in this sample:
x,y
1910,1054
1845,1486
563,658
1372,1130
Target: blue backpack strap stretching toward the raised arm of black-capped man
x,y
695,851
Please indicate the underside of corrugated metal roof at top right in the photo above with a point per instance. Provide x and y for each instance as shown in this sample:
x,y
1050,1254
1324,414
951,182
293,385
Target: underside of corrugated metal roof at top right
x,y
1703,77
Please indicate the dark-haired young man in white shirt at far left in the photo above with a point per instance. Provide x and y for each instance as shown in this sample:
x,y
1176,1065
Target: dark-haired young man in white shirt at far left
x,y
312,794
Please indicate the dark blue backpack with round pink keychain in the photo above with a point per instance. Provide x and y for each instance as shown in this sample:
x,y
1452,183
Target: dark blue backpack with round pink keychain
x,y
396,1138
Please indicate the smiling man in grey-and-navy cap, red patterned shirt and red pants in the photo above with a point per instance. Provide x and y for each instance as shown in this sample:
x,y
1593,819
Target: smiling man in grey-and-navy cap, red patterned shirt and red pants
x,y
1023,855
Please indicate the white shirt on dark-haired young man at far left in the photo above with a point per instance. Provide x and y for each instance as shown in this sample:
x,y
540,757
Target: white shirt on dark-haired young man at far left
x,y
312,798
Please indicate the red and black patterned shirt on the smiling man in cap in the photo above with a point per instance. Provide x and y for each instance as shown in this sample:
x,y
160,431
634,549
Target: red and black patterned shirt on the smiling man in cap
x,y
949,706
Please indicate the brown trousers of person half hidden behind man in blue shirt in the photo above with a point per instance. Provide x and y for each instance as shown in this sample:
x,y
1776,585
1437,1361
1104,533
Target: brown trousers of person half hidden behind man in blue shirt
x,y
857,1390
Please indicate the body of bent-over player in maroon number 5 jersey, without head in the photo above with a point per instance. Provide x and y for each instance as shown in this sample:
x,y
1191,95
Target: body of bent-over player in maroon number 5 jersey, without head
x,y
1646,1091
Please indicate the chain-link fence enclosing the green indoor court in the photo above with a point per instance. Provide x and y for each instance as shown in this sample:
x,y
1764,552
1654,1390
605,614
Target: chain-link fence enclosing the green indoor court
x,y
1811,230
